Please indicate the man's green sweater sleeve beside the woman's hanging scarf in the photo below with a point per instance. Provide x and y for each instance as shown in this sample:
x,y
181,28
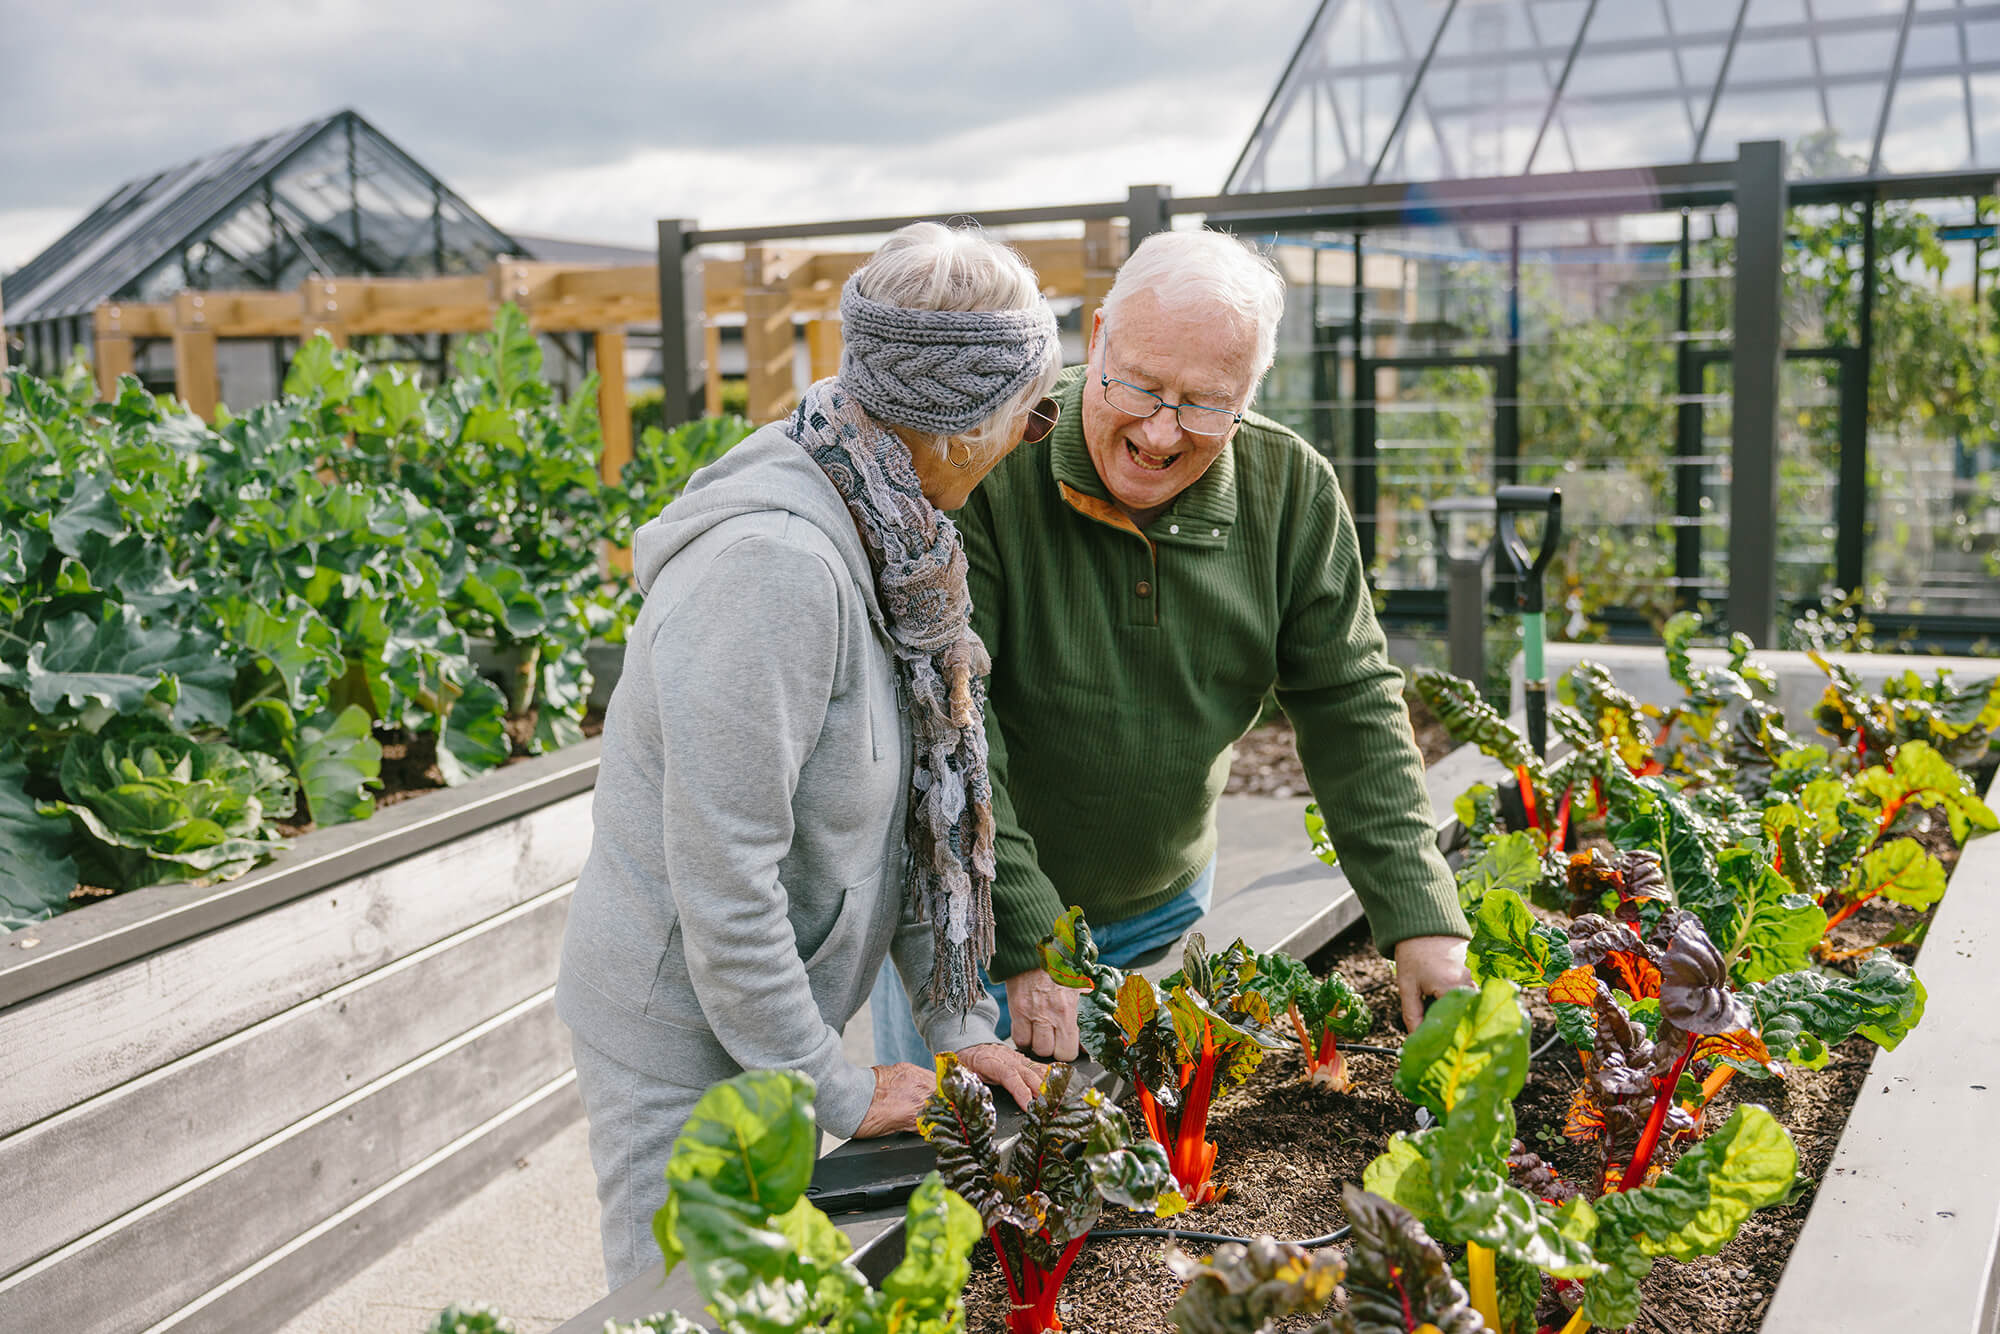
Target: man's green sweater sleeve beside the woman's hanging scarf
x,y
1025,899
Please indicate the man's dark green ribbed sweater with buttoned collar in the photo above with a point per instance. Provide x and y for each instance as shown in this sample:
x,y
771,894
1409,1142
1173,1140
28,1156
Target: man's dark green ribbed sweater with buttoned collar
x,y
1127,665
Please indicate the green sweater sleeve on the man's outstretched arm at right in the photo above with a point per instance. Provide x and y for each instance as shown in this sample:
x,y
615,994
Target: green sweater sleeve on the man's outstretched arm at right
x,y
1345,701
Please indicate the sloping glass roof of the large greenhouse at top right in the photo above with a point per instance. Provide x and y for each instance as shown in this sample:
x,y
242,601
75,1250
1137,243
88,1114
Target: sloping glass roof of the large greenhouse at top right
x,y
1411,91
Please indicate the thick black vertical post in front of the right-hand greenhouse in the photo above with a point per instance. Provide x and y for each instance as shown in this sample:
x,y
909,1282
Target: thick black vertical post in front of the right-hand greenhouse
x,y
1755,369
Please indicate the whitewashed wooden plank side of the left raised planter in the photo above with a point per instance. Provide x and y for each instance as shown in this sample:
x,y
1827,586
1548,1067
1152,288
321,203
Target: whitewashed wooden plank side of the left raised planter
x,y
219,1103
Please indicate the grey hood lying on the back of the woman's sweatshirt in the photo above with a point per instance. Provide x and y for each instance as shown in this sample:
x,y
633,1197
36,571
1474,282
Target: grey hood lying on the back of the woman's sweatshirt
x,y
765,473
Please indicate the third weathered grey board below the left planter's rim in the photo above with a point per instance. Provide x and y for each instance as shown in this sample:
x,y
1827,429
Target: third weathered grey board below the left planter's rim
x,y
155,1261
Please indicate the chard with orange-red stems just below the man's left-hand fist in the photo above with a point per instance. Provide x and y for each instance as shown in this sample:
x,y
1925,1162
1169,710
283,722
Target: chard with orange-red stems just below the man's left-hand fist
x,y
1181,1045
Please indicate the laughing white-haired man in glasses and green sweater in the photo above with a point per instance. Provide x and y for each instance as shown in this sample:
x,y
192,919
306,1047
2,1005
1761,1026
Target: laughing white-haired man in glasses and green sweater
x,y
1143,579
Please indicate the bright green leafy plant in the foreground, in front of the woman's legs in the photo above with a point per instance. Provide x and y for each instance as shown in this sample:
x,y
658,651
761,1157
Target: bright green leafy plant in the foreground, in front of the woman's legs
x,y
769,1261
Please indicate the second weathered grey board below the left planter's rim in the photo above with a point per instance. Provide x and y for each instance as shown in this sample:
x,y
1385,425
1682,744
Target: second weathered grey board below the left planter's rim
x,y
229,1097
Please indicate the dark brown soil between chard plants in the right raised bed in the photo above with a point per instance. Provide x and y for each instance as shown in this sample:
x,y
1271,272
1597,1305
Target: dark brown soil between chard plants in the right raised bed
x,y
1287,1147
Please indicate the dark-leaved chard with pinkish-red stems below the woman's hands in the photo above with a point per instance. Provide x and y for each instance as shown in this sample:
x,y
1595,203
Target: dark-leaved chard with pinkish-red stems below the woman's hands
x,y
1041,1197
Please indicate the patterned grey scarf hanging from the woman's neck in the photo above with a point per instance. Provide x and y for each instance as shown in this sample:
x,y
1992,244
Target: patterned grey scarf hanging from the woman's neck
x,y
921,583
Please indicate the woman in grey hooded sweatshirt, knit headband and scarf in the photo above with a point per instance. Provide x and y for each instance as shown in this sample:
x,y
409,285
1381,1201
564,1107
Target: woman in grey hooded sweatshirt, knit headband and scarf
x,y
795,763
